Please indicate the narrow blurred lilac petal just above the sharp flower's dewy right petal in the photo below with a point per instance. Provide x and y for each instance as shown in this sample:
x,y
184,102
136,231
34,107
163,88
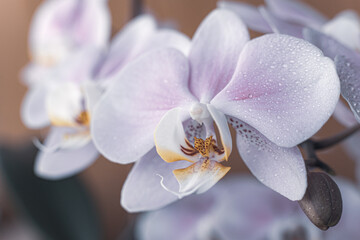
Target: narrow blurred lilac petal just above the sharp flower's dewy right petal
x,y
281,26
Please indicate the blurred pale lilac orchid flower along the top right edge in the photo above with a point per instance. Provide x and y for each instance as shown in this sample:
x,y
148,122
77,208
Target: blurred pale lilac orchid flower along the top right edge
x,y
291,16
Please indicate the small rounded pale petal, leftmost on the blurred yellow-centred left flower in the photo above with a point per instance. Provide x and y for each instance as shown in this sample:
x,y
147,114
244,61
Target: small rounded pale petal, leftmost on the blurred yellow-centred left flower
x,y
33,109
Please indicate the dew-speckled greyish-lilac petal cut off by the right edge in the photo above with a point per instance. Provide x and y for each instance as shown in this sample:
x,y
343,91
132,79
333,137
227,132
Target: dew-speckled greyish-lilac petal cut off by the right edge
x,y
349,73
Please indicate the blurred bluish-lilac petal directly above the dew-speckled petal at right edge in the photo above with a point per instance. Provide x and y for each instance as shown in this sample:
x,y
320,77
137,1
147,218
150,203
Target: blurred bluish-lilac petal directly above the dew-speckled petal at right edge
x,y
328,44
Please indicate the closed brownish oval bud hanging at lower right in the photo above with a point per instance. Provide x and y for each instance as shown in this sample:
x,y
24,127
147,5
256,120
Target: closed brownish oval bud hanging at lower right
x,y
322,201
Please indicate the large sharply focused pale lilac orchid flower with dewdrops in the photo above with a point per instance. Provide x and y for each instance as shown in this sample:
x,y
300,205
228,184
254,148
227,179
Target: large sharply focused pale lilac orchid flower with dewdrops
x,y
259,87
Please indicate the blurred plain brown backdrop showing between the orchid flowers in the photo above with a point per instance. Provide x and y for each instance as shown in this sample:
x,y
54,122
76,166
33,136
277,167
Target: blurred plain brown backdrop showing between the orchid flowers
x,y
104,178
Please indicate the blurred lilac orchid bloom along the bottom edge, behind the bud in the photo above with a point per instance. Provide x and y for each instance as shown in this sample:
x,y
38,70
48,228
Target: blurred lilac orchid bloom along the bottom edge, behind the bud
x,y
241,208
